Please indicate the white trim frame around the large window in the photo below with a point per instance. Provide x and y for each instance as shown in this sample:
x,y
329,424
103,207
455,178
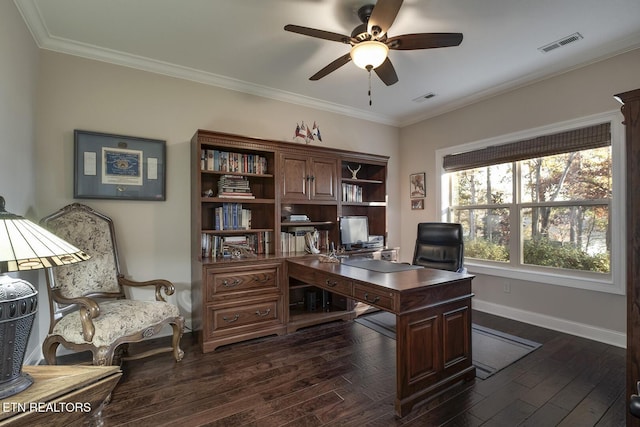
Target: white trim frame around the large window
x,y
611,283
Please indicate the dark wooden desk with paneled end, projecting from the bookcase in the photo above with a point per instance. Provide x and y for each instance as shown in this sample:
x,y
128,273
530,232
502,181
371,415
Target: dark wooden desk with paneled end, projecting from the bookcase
x,y
433,320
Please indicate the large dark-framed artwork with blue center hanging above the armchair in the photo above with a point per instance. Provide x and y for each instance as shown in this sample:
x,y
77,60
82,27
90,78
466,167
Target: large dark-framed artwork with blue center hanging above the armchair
x,y
110,166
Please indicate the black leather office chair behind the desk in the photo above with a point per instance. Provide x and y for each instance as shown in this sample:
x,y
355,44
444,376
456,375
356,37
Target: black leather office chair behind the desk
x,y
439,245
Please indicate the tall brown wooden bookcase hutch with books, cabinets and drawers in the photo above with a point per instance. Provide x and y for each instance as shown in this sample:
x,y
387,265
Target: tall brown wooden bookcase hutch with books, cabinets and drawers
x,y
248,197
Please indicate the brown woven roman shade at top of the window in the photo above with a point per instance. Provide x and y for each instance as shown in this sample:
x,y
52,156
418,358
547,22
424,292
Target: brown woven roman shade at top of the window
x,y
547,145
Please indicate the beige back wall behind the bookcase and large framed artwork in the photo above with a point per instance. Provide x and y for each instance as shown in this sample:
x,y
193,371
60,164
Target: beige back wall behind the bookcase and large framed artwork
x,y
153,237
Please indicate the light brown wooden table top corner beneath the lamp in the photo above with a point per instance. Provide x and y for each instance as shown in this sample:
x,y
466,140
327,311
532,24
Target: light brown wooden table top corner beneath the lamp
x,y
61,396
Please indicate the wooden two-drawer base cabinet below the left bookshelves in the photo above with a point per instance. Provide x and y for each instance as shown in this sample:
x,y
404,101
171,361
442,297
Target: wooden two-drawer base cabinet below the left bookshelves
x,y
241,302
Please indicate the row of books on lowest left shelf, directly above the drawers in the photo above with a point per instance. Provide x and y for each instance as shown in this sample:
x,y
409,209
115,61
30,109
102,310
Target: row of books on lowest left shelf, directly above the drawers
x,y
229,246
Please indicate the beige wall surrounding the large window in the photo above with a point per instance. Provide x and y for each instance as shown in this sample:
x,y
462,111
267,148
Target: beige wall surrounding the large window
x,y
579,93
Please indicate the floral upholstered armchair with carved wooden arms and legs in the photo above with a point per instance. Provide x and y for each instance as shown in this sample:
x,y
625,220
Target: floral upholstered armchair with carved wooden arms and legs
x,y
89,307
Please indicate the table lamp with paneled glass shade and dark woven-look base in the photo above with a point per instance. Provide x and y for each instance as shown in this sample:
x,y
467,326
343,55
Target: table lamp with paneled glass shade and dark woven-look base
x,y
24,246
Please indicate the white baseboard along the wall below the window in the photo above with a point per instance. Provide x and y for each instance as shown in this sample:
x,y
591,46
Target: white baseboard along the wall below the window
x,y
606,336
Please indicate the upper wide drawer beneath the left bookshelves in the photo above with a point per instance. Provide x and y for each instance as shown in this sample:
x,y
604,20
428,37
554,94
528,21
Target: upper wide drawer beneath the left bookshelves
x,y
227,282
